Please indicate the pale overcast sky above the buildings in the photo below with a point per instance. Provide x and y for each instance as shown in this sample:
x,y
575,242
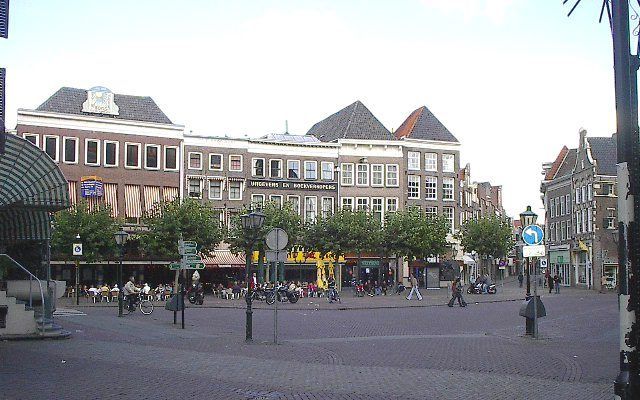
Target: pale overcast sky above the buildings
x,y
513,80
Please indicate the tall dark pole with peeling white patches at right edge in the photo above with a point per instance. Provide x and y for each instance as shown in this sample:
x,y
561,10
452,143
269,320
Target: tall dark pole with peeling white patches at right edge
x,y
625,70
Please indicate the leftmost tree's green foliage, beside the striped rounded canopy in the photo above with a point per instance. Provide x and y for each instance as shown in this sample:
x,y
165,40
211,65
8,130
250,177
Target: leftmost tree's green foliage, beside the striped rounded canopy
x,y
96,229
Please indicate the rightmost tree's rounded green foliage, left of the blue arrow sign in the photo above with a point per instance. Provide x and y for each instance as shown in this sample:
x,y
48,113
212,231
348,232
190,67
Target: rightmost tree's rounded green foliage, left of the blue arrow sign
x,y
487,236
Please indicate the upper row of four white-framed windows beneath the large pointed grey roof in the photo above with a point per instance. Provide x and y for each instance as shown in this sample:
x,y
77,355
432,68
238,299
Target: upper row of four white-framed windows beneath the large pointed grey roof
x,y
376,175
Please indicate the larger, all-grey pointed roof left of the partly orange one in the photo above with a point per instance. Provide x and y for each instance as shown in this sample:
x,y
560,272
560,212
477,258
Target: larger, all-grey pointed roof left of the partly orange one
x,y
352,122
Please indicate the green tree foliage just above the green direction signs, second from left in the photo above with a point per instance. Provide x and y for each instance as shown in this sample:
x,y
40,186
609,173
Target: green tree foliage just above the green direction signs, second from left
x,y
195,221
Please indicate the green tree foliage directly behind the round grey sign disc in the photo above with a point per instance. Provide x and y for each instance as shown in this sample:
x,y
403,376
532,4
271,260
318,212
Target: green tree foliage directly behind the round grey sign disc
x,y
284,217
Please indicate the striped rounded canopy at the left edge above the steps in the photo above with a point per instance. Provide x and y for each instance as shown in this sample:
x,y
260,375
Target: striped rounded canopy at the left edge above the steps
x,y
31,187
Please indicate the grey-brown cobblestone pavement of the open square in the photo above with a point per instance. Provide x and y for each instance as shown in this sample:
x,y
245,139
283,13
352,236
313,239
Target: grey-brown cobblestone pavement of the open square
x,y
355,353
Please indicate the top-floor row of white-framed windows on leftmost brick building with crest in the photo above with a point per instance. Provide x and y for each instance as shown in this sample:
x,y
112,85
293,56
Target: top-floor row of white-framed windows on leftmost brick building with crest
x,y
106,152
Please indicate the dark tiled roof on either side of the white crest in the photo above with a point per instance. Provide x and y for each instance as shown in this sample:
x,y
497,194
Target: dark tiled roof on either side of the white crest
x,y
135,108
